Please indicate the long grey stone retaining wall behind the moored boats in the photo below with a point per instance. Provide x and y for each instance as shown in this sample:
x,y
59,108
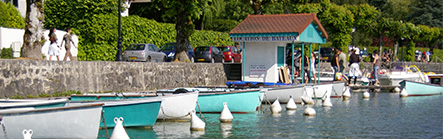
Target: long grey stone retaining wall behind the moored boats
x,y
34,77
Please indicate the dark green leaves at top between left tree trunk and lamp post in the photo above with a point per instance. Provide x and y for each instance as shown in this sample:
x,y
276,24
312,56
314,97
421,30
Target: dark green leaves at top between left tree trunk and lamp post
x,y
74,13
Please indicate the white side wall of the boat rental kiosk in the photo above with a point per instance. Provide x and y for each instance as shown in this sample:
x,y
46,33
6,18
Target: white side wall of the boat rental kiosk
x,y
261,61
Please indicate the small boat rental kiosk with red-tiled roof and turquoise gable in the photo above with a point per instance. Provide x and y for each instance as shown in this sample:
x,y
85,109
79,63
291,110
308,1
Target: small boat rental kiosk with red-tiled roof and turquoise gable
x,y
264,38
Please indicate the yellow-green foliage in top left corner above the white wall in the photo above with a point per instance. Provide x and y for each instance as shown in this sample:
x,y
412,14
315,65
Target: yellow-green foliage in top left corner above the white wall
x,y
10,17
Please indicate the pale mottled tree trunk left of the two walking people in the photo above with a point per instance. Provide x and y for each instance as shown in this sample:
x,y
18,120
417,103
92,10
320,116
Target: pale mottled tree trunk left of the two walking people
x,y
33,37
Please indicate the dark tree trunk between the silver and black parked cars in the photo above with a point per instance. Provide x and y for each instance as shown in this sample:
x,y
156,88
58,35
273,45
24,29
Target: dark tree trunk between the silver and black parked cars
x,y
184,29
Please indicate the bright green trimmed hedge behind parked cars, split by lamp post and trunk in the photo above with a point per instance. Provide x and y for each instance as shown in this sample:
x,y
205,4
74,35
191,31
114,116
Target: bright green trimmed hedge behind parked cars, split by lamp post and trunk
x,y
98,38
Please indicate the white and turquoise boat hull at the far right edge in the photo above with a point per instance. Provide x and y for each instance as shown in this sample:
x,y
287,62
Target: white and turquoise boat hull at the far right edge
x,y
421,89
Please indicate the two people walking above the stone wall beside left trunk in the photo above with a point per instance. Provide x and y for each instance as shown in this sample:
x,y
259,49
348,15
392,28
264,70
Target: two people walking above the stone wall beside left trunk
x,y
54,49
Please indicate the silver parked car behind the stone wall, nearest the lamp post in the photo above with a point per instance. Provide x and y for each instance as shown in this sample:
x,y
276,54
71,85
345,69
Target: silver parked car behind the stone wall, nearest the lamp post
x,y
143,52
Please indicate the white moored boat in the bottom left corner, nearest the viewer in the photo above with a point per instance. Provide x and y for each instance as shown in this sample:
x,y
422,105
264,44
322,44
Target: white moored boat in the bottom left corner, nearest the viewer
x,y
80,121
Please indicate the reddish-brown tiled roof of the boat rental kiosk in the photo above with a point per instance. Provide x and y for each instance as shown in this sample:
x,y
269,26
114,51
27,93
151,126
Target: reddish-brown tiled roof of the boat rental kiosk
x,y
281,23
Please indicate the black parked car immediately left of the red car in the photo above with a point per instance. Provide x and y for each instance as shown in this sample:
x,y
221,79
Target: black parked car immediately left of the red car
x,y
208,54
